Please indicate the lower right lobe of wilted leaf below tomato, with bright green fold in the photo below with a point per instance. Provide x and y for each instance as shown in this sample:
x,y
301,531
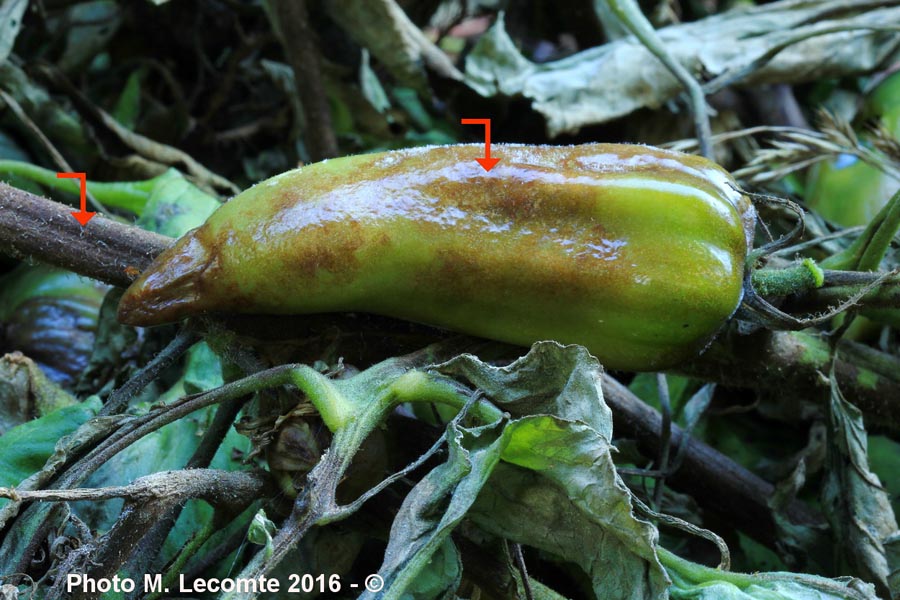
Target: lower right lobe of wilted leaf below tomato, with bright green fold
x,y
574,506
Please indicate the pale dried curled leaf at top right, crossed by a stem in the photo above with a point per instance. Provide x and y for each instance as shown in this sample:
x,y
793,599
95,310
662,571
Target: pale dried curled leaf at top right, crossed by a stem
x,y
613,80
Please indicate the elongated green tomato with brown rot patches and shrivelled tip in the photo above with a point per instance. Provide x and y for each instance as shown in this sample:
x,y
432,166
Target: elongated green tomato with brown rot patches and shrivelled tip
x,y
634,252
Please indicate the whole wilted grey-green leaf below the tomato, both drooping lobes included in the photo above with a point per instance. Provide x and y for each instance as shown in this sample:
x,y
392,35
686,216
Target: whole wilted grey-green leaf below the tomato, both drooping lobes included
x,y
570,503
